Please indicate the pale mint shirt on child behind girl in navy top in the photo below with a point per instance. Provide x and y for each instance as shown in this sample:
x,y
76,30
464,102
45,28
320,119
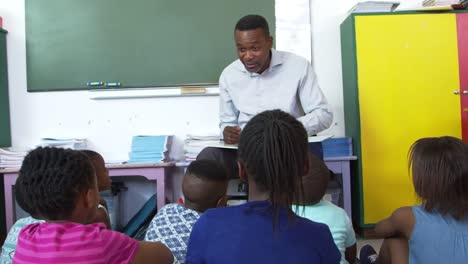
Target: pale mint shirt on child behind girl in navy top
x,y
336,219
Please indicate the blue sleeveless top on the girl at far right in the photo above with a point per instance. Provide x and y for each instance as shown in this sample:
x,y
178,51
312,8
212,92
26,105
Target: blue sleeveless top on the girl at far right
x,y
437,239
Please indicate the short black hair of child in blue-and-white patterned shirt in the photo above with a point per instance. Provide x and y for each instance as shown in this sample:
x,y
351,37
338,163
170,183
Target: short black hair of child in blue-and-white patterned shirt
x,y
208,170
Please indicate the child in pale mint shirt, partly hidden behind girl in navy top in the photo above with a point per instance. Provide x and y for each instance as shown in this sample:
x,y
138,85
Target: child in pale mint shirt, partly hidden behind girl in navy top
x,y
314,207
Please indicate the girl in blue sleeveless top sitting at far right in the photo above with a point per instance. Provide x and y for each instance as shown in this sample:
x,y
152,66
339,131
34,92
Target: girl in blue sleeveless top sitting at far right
x,y
437,230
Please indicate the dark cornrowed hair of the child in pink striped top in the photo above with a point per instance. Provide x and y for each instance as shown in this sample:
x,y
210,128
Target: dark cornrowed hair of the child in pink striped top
x,y
50,181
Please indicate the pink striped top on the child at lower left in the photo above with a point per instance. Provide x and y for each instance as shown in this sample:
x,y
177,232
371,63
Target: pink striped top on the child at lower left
x,y
73,243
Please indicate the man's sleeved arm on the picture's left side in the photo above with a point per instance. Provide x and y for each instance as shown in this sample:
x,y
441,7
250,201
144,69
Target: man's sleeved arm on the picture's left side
x,y
228,113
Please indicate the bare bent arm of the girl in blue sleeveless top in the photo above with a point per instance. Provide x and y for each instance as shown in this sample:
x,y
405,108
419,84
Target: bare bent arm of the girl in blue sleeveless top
x,y
400,223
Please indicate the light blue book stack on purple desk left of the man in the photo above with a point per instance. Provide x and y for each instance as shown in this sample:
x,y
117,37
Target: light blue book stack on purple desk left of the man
x,y
150,149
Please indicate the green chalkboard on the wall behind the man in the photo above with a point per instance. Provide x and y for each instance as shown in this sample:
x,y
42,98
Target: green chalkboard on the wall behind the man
x,y
139,43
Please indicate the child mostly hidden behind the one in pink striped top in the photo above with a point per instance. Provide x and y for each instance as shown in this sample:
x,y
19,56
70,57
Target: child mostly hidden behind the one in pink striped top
x,y
102,216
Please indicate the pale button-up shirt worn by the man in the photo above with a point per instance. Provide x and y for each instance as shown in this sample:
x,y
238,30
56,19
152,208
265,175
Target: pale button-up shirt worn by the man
x,y
289,84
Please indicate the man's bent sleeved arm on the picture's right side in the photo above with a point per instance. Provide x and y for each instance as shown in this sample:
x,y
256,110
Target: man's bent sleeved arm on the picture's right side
x,y
318,115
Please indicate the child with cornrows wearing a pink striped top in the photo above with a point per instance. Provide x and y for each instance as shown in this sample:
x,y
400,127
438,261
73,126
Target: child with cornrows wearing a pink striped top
x,y
60,186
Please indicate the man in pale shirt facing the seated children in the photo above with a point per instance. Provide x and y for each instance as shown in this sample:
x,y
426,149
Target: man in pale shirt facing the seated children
x,y
265,79
